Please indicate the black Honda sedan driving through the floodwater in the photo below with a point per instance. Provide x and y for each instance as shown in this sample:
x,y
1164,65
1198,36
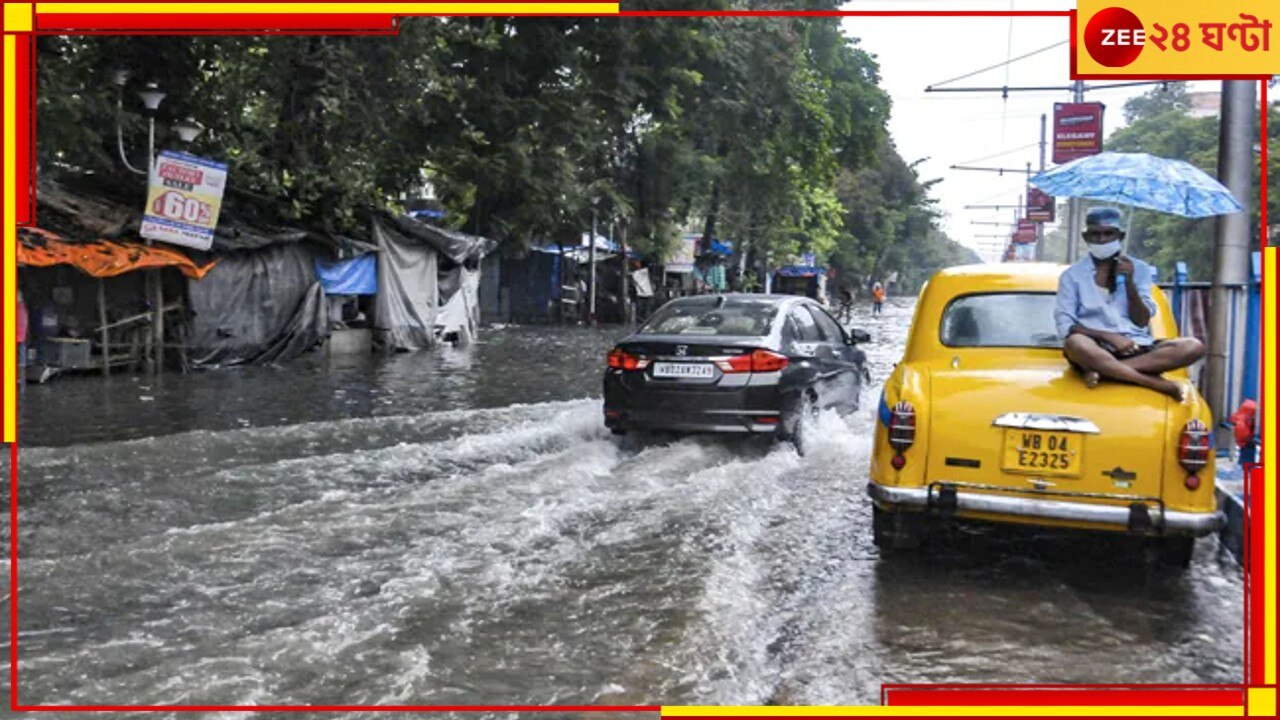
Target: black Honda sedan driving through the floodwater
x,y
734,364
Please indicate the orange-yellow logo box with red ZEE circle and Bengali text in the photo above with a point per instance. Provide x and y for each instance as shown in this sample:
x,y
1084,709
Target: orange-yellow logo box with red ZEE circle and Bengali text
x,y
1176,39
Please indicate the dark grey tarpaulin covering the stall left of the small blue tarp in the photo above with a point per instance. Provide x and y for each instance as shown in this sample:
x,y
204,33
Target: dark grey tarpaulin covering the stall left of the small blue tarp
x,y
258,307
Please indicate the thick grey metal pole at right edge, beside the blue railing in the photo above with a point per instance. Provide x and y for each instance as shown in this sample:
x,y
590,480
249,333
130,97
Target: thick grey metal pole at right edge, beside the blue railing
x,y
1231,250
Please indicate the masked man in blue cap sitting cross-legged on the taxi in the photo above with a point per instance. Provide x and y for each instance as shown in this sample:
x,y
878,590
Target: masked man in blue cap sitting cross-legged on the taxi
x,y
1104,315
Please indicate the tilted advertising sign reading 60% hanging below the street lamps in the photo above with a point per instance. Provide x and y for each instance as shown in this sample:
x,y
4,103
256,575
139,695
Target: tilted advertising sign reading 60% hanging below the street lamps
x,y
184,199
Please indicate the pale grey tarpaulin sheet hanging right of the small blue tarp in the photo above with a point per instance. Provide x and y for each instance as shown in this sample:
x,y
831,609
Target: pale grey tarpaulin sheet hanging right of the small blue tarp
x,y
408,290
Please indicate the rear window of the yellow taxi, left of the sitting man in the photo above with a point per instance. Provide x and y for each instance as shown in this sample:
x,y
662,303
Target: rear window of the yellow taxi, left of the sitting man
x,y
1004,320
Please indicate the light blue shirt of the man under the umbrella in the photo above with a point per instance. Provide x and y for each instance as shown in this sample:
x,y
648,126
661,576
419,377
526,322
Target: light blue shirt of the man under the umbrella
x,y
1082,303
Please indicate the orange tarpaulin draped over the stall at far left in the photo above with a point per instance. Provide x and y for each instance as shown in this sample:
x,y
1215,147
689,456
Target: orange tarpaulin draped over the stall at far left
x,y
102,259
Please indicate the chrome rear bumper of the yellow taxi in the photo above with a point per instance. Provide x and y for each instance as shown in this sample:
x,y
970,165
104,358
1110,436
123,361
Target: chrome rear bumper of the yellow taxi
x,y
1116,517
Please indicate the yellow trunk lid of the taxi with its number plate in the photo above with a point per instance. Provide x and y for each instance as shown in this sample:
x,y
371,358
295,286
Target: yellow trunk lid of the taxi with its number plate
x,y
1043,431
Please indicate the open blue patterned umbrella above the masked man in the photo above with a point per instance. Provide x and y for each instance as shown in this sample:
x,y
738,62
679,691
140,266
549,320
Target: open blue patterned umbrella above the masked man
x,y
1142,181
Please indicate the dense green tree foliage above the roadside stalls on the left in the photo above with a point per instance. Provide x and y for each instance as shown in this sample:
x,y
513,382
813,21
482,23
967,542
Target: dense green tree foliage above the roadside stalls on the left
x,y
767,131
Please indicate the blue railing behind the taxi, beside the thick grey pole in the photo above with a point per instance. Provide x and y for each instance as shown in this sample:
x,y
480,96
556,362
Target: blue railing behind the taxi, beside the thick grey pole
x,y
1191,304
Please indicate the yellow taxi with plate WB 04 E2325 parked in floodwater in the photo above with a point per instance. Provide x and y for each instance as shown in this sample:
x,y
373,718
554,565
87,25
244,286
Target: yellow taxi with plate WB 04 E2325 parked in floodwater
x,y
985,420
